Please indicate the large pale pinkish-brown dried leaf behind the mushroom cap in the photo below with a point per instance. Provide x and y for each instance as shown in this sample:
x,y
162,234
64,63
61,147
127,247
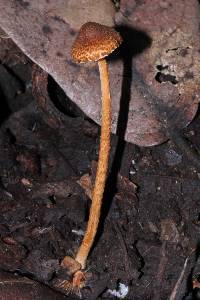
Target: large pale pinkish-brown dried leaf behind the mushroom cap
x,y
154,78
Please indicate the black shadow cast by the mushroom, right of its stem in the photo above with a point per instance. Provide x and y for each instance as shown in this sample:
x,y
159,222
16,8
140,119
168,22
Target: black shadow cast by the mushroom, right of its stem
x,y
134,43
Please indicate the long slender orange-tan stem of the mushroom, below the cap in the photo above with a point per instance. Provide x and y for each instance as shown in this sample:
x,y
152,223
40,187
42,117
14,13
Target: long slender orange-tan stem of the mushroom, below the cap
x,y
102,167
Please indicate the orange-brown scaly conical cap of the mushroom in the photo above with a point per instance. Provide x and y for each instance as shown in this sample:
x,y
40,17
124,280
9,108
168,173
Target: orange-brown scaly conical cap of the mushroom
x,y
94,42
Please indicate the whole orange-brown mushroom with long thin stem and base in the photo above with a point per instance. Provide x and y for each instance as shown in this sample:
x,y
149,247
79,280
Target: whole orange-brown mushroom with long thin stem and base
x,y
93,43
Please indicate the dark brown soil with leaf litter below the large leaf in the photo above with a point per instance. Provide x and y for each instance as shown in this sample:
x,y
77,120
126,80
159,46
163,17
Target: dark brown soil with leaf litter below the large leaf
x,y
149,232
